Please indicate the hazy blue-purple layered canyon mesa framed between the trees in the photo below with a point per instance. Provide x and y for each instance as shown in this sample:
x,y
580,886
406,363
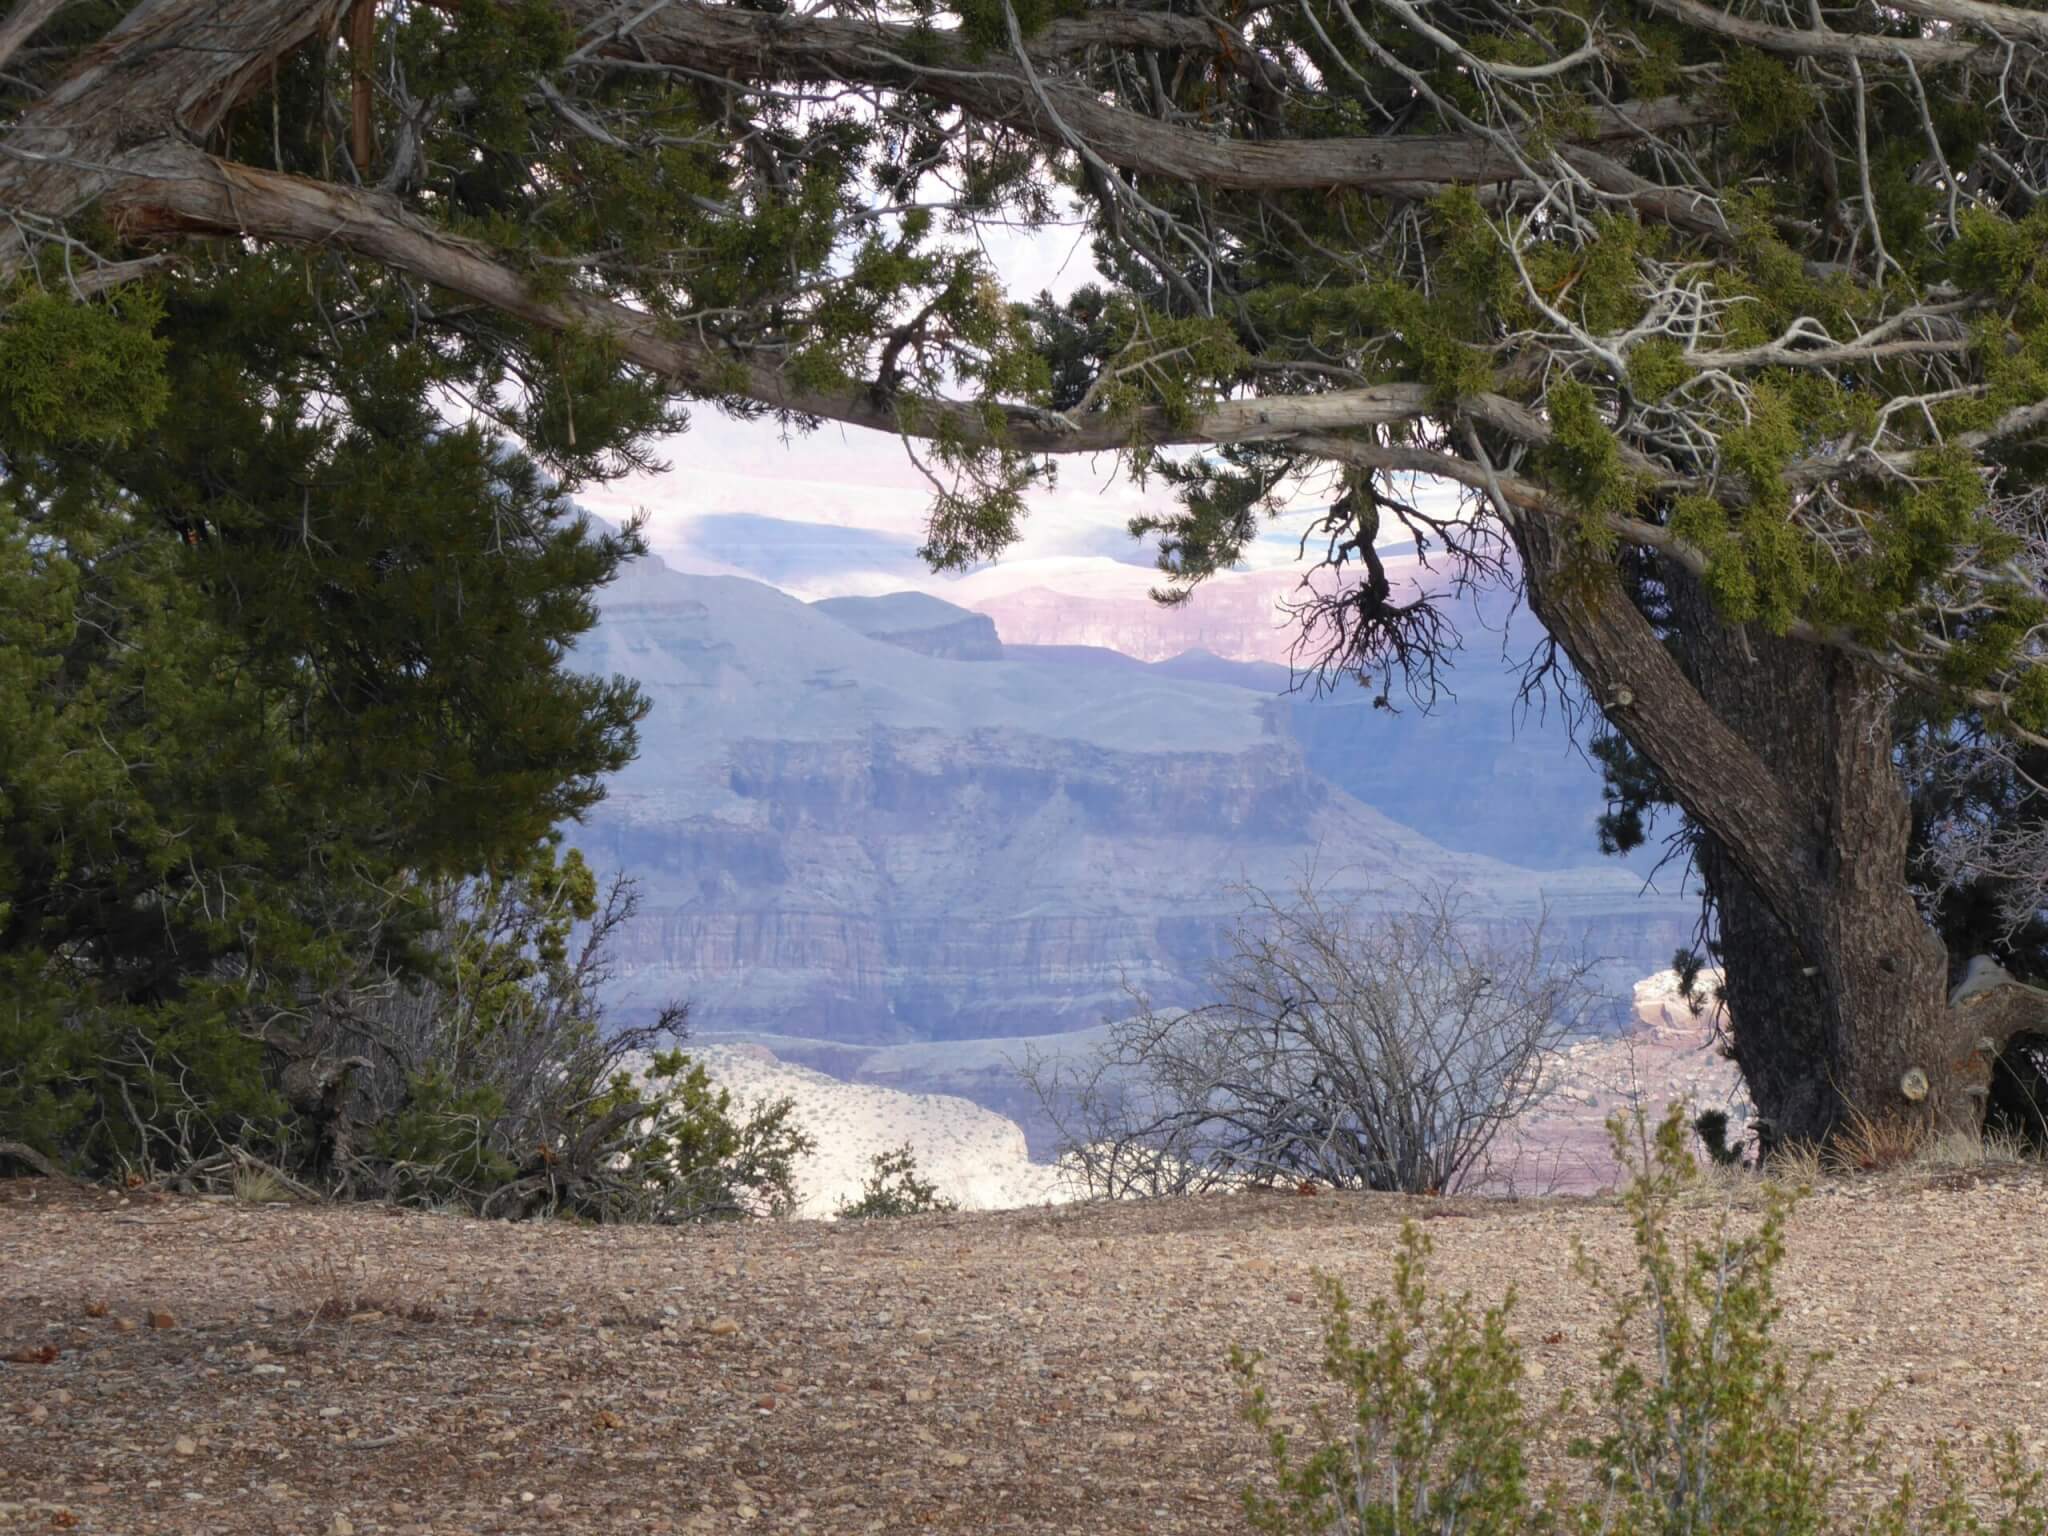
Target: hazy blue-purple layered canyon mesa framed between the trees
x,y
847,835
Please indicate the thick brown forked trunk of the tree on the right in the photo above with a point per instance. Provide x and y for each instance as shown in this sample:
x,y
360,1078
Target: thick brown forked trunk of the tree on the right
x,y
1783,753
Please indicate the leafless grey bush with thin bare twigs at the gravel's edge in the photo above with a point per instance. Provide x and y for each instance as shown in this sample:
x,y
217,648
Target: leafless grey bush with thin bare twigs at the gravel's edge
x,y
1345,1052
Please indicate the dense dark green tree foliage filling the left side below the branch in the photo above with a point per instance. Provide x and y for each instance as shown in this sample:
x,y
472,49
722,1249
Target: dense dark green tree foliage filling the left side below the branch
x,y
280,652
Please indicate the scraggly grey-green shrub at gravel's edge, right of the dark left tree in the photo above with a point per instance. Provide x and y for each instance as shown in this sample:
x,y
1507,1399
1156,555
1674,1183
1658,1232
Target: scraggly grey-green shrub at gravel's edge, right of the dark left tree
x,y
497,1086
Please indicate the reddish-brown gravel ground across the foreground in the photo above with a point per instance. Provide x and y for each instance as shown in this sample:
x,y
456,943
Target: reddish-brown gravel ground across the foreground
x,y
202,1367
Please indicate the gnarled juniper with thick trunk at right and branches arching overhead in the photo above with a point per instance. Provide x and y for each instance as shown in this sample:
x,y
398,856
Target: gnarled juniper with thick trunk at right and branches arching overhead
x,y
1727,321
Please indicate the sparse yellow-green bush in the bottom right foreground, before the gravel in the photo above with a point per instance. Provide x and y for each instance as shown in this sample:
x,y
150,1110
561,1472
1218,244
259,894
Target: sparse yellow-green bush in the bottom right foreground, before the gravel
x,y
1711,1428
